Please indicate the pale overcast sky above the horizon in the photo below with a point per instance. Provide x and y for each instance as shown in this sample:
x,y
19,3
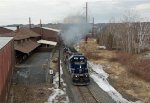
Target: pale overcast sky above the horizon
x,y
54,11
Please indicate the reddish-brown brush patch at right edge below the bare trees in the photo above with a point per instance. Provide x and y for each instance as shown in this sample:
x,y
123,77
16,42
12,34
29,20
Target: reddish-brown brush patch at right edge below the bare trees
x,y
135,64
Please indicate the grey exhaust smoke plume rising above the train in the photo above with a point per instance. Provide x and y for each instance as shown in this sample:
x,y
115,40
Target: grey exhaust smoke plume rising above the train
x,y
74,30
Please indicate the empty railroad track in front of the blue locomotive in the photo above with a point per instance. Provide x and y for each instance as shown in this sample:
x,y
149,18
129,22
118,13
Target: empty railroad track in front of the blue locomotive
x,y
87,95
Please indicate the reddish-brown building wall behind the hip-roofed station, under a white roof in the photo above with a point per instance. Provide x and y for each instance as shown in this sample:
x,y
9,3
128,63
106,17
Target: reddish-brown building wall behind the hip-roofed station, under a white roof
x,y
46,34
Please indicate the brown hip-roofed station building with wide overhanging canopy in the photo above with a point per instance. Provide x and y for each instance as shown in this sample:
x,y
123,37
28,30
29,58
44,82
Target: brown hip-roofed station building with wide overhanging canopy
x,y
25,41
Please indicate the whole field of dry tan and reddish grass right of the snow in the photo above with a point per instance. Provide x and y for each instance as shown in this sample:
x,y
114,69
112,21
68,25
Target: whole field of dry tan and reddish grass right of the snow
x,y
121,66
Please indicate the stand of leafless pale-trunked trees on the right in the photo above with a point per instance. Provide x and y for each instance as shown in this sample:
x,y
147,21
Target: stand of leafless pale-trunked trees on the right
x,y
129,35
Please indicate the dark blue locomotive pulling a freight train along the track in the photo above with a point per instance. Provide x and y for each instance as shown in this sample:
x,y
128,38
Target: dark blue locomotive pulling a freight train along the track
x,y
77,66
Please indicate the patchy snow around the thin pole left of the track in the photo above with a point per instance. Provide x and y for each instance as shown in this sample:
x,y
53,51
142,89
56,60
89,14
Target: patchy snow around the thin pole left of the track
x,y
58,93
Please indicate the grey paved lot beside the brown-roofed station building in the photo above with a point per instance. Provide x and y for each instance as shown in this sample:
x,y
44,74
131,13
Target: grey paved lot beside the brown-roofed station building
x,y
34,69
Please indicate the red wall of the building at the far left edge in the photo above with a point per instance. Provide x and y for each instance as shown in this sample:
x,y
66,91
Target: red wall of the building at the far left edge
x,y
6,70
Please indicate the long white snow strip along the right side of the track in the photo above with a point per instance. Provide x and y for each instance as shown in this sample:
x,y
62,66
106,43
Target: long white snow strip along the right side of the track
x,y
100,77
